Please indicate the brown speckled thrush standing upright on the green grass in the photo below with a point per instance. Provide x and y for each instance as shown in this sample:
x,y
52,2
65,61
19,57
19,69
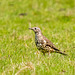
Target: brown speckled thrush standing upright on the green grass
x,y
43,44
